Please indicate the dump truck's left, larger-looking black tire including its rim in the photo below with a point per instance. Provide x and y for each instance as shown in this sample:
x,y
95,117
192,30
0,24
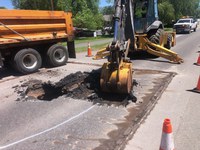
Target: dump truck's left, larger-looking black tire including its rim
x,y
27,61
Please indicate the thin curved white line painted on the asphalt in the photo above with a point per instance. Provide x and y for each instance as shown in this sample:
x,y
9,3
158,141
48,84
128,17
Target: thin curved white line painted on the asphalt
x,y
47,130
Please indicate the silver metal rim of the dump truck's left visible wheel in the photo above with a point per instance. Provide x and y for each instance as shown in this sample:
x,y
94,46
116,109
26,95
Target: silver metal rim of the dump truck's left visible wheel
x,y
29,61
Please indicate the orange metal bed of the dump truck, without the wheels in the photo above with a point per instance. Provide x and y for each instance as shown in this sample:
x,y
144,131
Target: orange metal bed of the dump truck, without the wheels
x,y
19,26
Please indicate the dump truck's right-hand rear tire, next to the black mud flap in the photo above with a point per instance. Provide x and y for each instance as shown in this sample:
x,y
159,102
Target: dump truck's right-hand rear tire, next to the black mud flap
x,y
57,55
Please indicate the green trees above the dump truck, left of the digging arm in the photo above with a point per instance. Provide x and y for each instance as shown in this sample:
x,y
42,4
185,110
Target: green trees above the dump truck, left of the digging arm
x,y
85,12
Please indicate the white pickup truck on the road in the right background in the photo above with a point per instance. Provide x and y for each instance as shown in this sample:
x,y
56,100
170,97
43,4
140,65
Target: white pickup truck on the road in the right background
x,y
185,25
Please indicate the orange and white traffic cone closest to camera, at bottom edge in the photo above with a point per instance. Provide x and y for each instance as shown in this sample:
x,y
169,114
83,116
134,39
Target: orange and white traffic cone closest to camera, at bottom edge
x,y
167,141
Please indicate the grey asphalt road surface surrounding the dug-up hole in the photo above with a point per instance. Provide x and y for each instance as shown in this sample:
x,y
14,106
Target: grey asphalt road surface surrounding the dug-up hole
x,y
70,123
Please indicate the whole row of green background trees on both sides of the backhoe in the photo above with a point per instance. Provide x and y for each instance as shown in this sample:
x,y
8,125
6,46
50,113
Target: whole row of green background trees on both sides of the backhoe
x,y
86,13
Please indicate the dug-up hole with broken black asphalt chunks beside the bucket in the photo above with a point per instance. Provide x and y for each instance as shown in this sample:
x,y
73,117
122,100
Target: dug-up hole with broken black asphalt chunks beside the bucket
x,y
79,85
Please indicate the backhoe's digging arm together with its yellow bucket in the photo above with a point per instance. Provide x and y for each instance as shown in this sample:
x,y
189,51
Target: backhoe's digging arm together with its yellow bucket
x,y
116,74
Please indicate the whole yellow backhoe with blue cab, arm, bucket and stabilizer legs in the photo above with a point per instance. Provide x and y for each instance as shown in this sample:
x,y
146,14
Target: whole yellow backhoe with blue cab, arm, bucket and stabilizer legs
x,y
136,27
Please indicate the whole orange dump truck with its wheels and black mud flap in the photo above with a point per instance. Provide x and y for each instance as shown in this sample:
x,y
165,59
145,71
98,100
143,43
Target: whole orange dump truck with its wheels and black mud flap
x,y
29,38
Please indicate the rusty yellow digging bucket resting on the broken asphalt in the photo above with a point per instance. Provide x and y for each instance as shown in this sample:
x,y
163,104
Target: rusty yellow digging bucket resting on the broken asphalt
x,y
117,80
